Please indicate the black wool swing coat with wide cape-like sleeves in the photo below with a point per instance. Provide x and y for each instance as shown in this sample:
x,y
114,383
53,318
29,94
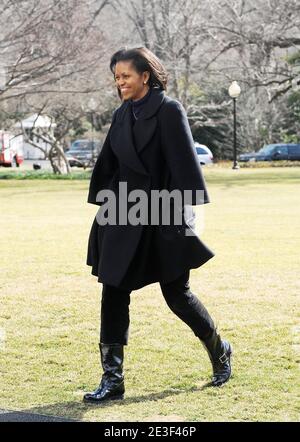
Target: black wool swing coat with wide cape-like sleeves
x,y
156,152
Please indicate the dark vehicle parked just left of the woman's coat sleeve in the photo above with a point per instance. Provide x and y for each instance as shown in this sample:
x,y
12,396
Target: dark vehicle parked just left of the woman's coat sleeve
x,y
83,153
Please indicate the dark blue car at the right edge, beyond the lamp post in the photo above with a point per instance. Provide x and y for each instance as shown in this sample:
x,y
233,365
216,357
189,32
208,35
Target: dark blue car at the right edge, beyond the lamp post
x,y
273,152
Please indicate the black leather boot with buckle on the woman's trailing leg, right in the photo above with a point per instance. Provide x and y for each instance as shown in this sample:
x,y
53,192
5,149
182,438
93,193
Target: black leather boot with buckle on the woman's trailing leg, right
x,y
219,353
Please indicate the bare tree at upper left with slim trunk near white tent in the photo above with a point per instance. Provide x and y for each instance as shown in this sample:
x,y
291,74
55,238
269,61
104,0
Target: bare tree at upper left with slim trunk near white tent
x,y
49,51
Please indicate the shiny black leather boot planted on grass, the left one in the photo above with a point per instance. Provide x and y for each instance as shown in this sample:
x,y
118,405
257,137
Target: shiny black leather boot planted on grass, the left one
x,y
112,382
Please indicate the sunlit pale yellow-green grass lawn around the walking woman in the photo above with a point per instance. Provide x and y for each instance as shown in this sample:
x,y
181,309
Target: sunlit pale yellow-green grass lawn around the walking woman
x,y
49,315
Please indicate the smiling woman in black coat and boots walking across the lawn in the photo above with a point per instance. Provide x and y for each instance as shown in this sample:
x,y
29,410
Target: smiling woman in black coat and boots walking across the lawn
x,y
149,148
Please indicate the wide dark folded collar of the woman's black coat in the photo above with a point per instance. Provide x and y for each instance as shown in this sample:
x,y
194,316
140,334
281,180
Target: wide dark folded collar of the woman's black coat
x,y
127,143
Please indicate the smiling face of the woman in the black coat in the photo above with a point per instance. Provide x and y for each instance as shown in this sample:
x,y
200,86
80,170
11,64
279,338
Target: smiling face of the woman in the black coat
x,y
130,83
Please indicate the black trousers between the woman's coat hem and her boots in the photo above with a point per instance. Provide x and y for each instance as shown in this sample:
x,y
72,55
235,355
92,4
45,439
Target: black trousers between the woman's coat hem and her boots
x,y
115,318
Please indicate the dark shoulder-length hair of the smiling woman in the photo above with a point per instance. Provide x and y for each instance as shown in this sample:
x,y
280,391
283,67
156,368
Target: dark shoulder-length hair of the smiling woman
x,y
143,60
